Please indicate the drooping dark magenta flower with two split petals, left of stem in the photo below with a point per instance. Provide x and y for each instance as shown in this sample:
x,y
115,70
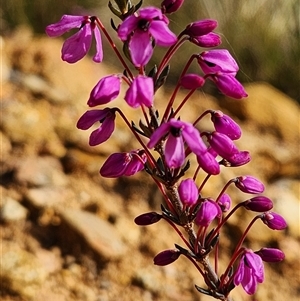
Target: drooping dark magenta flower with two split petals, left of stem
x,y
105,117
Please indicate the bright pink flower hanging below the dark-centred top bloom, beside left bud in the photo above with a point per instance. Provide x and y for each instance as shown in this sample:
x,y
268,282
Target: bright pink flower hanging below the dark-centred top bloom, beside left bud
x,y
140,92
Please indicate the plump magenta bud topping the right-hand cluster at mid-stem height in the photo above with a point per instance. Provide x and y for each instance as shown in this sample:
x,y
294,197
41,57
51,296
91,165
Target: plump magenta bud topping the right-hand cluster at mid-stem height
x,y
226,125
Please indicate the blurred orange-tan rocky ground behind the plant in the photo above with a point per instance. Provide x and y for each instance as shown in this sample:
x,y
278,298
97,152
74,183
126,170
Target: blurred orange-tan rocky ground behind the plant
x,y
67,234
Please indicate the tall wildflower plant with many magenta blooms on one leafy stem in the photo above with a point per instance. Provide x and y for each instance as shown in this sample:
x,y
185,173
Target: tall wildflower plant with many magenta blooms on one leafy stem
x,y
167,143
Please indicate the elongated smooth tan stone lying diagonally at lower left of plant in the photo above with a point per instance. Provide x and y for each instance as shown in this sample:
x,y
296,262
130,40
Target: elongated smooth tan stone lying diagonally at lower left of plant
x,y
101,236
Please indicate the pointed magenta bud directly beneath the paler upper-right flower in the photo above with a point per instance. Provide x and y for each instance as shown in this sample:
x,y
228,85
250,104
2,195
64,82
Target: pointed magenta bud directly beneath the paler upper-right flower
x,y
229,85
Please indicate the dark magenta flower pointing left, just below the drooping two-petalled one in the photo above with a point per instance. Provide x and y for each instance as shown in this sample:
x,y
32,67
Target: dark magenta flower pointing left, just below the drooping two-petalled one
x,y
123,164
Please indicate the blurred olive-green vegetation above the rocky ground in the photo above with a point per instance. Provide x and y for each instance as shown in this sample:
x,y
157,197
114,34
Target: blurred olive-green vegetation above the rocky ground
x,y
262,35
